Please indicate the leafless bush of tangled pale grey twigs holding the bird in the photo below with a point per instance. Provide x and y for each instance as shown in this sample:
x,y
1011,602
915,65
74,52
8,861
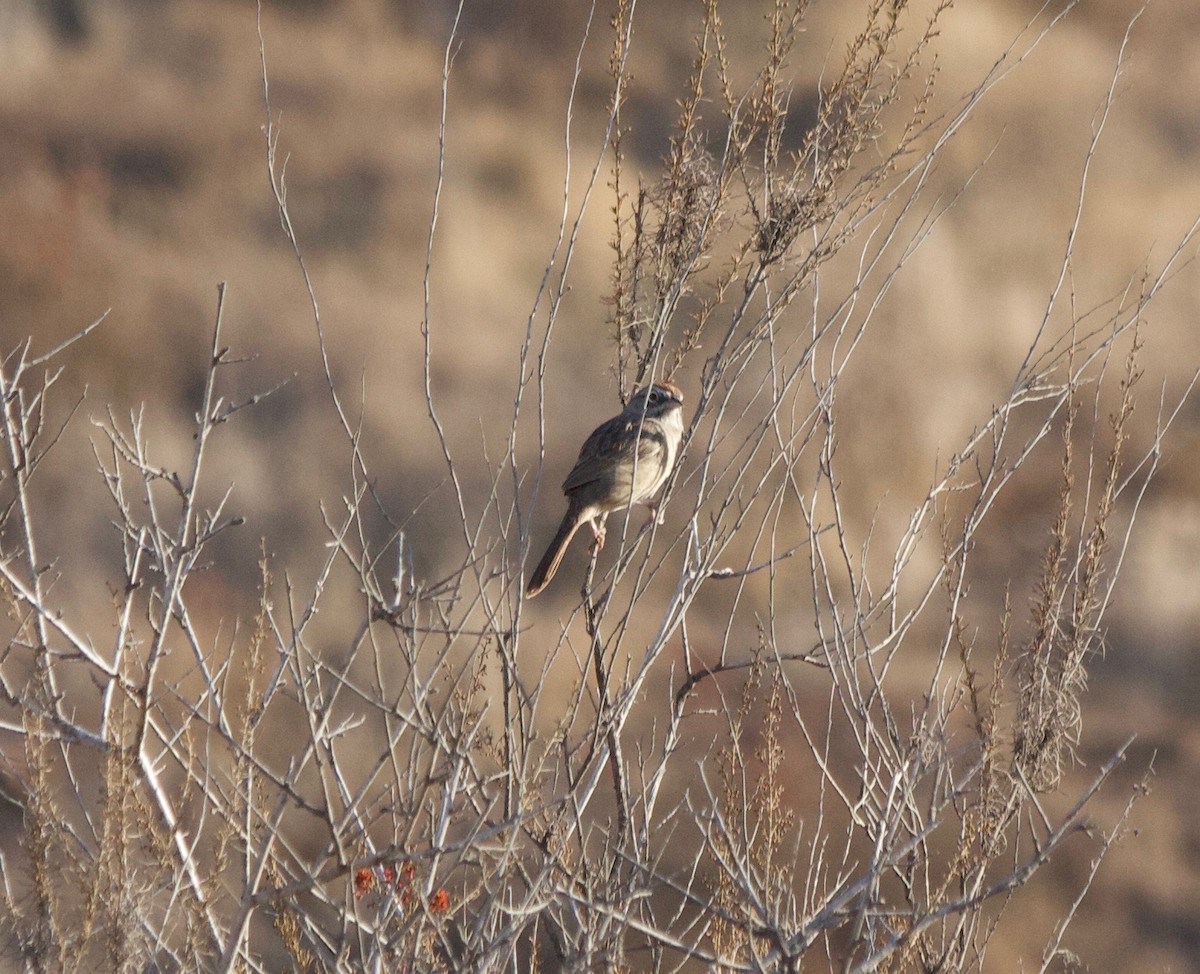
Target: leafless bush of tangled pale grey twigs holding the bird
x,y
707,761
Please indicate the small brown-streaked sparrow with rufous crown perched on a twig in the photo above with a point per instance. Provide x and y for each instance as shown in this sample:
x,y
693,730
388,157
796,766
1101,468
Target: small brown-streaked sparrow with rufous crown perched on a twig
x,y
625,462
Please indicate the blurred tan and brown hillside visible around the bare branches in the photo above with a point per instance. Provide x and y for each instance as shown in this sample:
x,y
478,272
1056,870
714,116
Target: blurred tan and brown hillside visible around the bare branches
x,y
134,179
